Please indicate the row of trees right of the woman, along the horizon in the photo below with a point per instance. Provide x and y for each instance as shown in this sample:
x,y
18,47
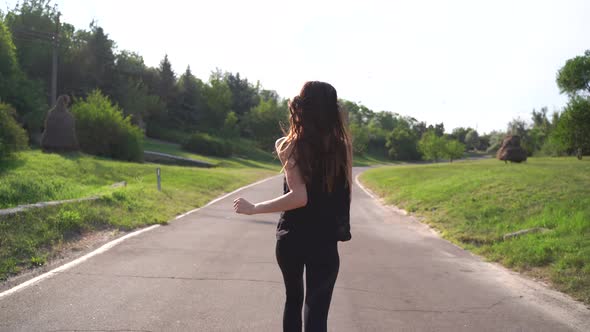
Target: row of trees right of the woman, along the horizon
x,y
556,134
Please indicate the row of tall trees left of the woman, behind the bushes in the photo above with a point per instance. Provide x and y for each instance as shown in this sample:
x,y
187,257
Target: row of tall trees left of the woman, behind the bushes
x,y
155,98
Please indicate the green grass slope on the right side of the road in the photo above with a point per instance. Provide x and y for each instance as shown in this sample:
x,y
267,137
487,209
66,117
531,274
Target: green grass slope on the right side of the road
x,y
475,203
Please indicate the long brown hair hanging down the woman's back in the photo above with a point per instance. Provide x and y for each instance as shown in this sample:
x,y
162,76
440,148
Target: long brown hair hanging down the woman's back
x,y
317,134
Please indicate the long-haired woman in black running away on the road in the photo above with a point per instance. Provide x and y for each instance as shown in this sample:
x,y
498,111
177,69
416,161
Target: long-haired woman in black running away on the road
x,y
317,158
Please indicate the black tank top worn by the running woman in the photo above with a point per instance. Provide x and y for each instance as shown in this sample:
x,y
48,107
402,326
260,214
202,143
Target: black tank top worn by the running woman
x,y
319,219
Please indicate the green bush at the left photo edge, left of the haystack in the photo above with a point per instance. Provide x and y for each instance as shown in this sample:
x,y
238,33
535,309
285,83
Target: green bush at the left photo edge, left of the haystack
x,y
12,136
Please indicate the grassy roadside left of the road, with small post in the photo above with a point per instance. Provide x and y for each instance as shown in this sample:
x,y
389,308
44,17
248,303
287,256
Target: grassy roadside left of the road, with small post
x,y
30,238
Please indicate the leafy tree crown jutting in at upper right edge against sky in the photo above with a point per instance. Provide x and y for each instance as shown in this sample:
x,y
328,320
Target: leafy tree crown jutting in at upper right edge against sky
x,y
574,76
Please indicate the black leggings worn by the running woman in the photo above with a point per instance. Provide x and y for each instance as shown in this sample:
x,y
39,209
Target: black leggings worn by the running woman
x,y
321,263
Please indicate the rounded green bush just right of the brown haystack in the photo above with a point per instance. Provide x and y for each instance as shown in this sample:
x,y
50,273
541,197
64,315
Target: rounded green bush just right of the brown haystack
x,y
102,129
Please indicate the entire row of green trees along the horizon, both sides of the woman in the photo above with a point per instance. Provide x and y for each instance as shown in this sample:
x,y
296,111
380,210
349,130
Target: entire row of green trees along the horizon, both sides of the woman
x,y
227,105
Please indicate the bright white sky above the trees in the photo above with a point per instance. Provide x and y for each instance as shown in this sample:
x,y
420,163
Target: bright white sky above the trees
x,y
464,63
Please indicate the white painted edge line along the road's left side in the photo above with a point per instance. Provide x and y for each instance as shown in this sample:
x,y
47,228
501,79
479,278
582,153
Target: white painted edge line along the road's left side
x,y
105,247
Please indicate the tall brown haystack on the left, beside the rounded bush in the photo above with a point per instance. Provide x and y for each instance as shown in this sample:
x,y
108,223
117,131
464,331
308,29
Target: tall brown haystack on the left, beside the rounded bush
x,y
60,129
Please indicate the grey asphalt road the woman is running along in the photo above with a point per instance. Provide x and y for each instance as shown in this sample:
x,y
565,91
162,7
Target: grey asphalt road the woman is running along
x,y
216,271
